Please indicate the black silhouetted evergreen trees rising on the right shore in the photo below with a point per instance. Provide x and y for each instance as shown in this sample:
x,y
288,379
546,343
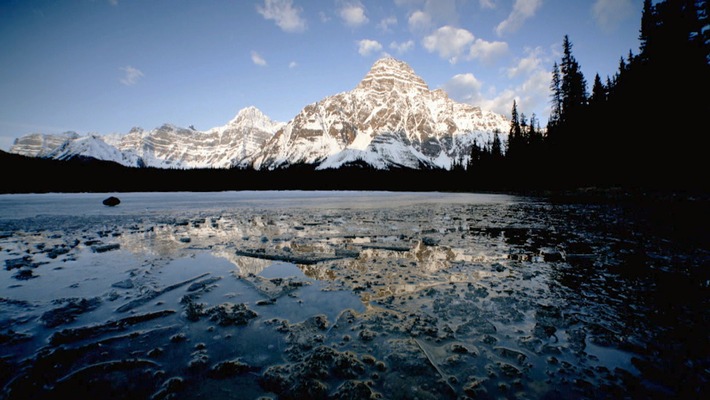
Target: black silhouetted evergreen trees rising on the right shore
x,y
642,127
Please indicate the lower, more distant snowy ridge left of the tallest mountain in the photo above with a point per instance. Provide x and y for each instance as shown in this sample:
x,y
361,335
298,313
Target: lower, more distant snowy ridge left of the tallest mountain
x,y
168,146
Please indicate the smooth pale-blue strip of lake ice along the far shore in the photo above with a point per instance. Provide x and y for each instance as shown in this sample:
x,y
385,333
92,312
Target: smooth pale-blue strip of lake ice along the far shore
x,y
32,205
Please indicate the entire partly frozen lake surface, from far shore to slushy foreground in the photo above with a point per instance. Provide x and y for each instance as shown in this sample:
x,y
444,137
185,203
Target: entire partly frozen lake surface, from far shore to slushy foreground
x,y
344,295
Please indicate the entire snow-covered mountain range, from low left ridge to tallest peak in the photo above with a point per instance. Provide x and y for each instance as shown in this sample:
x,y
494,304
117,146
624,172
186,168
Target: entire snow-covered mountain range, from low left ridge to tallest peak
x,y
390,120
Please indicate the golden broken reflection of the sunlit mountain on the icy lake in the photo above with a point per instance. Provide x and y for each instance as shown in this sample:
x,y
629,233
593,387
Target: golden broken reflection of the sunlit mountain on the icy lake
x,y
224,237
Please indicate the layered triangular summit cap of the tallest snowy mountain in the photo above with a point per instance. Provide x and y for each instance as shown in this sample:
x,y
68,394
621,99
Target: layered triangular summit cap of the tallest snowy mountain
x,y
388,74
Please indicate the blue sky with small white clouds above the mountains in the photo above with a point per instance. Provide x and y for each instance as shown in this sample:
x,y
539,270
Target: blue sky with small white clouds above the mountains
x,y
108,65
